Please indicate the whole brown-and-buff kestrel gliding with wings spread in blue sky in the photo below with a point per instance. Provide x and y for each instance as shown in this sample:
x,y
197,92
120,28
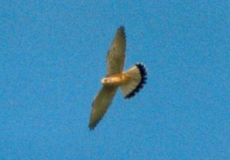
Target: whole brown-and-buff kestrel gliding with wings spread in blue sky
x,y
130,81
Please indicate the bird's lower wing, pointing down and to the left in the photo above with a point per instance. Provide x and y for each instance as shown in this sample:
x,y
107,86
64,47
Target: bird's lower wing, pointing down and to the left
x,y
101,104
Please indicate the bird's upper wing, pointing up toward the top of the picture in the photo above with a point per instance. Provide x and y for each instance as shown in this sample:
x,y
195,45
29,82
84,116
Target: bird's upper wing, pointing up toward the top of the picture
x,y
116,54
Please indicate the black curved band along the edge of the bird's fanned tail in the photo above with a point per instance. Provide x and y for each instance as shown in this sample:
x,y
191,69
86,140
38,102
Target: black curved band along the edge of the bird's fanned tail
x,y
143,72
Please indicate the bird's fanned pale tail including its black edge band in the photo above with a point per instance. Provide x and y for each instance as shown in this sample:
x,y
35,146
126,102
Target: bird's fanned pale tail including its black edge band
x,y
138,77
